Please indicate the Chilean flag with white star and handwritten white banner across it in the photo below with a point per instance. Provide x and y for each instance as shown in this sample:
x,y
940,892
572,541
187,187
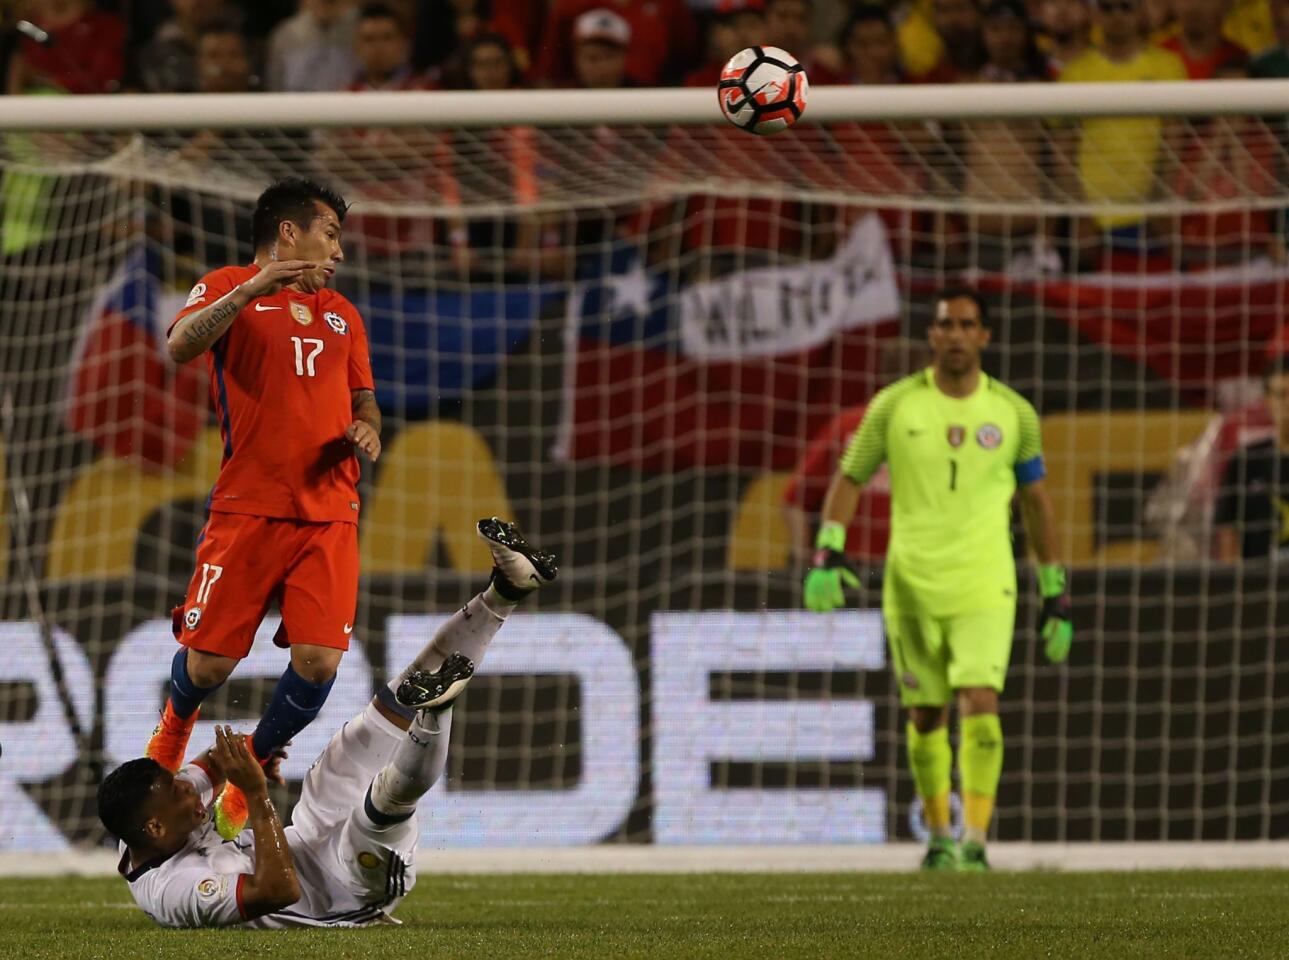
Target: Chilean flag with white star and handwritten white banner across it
x,y
739,370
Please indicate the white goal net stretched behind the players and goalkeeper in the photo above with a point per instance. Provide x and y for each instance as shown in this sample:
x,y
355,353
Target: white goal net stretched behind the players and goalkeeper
x,y
646,342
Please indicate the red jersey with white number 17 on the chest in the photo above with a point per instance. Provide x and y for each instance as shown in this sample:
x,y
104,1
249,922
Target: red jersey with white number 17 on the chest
x,y
282,379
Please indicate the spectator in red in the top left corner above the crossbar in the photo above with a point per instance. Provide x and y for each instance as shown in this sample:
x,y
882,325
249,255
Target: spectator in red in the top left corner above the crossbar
x,y
84,51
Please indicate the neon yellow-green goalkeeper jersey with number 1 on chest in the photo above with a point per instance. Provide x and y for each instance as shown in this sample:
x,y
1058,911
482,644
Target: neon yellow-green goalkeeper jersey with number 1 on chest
x,y
955,467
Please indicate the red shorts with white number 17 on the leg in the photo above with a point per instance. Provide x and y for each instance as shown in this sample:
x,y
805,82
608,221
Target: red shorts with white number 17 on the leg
x,y
244,564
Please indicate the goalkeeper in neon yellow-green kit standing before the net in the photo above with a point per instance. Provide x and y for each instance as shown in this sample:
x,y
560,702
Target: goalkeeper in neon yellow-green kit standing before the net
x,y
957,444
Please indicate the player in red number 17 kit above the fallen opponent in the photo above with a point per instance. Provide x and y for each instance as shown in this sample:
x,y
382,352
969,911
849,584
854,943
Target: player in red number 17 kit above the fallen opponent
x,y
291,378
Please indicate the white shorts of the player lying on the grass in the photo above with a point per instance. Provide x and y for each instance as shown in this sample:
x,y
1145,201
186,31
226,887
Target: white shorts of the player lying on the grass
x,y
350,868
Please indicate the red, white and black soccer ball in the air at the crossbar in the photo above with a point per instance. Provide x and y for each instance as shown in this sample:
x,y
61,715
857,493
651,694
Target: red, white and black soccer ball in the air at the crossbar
x,y
762,90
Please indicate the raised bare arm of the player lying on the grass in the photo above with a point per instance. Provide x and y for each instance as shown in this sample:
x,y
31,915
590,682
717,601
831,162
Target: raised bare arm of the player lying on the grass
x,y
274,886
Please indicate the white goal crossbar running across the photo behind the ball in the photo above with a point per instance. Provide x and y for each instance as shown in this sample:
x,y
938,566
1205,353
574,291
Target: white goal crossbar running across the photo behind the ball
x,y
641,108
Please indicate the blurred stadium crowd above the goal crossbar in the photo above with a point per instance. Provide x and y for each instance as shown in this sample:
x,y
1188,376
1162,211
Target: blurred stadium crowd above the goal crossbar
x,y
189,46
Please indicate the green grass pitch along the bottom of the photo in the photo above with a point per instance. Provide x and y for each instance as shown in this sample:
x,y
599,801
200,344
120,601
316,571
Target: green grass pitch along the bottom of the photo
x,y
1018,917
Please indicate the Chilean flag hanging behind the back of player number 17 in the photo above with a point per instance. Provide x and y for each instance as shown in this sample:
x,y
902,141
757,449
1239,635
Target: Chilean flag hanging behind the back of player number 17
x,y
124,394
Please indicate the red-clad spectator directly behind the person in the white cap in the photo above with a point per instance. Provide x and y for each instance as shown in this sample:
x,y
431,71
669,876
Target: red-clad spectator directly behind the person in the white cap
x,y
664,41
